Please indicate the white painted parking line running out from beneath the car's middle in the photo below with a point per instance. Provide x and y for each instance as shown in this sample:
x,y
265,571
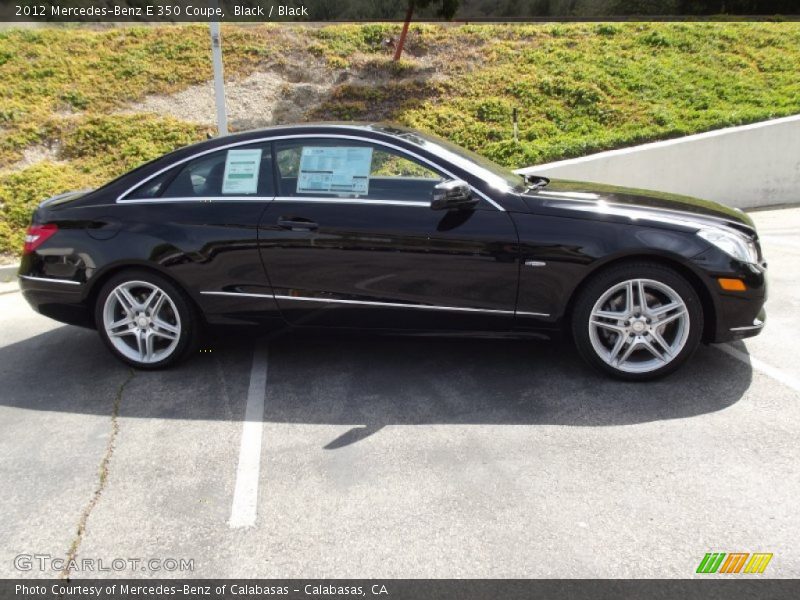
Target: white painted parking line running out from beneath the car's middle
x,y
245,494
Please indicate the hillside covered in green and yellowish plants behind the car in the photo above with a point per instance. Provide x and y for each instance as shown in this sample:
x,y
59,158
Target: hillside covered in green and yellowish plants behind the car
x,y
579,88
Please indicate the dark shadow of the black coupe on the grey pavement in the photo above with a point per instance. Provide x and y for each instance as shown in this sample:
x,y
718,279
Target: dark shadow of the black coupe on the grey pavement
x,y
365,382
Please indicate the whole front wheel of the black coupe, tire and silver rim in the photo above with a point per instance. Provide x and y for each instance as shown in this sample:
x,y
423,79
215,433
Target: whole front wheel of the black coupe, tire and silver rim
x,y
637,321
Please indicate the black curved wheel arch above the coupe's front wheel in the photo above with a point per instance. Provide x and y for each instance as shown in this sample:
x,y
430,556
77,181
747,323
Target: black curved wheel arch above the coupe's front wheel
x,y
675,263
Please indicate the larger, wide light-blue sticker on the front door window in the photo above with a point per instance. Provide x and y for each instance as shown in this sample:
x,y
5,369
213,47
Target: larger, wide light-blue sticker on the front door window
x,y
334,169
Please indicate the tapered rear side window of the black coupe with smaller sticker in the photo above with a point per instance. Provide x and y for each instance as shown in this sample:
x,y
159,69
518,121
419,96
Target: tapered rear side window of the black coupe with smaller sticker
x,y
240,171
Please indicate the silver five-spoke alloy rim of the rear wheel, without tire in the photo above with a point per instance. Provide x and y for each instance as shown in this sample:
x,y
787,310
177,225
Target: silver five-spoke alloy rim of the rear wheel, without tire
x,y
142,322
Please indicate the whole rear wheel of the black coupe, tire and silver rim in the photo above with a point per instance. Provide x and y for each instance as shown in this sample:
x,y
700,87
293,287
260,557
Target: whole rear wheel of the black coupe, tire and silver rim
x,y
145,320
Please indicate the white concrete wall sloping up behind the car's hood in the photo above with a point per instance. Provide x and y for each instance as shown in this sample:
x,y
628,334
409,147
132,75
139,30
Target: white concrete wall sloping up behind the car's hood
x,y
748,166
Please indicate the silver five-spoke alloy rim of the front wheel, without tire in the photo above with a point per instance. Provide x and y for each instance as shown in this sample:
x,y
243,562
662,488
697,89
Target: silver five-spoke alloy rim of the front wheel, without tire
x,y
639,325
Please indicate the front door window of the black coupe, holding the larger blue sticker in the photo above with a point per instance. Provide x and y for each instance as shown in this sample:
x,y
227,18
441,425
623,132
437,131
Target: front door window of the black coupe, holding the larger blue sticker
x,y
345,169
